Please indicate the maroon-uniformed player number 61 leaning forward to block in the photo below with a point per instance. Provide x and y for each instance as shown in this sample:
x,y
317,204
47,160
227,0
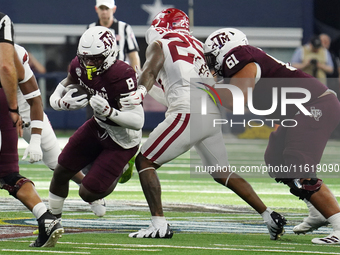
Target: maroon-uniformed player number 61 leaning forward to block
x,y
297,148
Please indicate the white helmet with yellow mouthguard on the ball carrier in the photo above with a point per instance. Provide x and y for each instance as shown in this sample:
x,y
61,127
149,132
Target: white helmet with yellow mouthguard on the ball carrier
x,y
98,47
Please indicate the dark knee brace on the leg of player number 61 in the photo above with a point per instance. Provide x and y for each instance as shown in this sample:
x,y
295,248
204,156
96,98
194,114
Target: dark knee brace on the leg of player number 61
x,y
303,190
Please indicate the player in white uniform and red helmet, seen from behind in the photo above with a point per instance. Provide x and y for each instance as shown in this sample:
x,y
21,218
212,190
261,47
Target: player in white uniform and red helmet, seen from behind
x,y
174,58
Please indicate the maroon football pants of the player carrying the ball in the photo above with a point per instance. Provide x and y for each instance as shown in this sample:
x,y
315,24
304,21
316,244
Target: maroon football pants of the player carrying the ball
x,y
91,145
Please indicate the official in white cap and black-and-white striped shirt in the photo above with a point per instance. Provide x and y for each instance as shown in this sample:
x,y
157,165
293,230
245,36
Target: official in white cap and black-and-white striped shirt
x,y
126,40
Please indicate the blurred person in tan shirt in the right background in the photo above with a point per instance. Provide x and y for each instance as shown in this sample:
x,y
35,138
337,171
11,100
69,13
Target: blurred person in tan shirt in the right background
x,y
314,59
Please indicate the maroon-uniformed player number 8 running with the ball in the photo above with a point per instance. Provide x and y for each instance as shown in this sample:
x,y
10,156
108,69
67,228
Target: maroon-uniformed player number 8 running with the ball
x,y
111,137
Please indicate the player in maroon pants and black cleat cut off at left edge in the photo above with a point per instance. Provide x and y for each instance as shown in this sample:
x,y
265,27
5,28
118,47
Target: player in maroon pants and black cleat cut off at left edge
x,y
20,187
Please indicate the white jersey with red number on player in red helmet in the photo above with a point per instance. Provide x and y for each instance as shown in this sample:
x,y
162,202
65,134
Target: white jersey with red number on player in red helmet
x,y
184,64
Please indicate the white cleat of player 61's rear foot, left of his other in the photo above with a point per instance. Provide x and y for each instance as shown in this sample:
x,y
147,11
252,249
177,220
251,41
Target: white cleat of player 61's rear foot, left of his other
x,y
314,221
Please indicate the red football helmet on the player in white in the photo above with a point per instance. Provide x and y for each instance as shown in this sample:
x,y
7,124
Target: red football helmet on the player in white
x,y
173,19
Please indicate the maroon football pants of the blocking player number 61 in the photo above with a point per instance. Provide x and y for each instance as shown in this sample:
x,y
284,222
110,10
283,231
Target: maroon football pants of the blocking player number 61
x,y
300,148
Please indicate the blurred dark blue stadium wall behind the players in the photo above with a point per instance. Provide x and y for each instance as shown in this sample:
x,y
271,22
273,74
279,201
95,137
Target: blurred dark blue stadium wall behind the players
x,y
50,31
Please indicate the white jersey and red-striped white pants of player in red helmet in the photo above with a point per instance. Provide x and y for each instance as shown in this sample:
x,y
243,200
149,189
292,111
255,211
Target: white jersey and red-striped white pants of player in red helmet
x,y
185,126
